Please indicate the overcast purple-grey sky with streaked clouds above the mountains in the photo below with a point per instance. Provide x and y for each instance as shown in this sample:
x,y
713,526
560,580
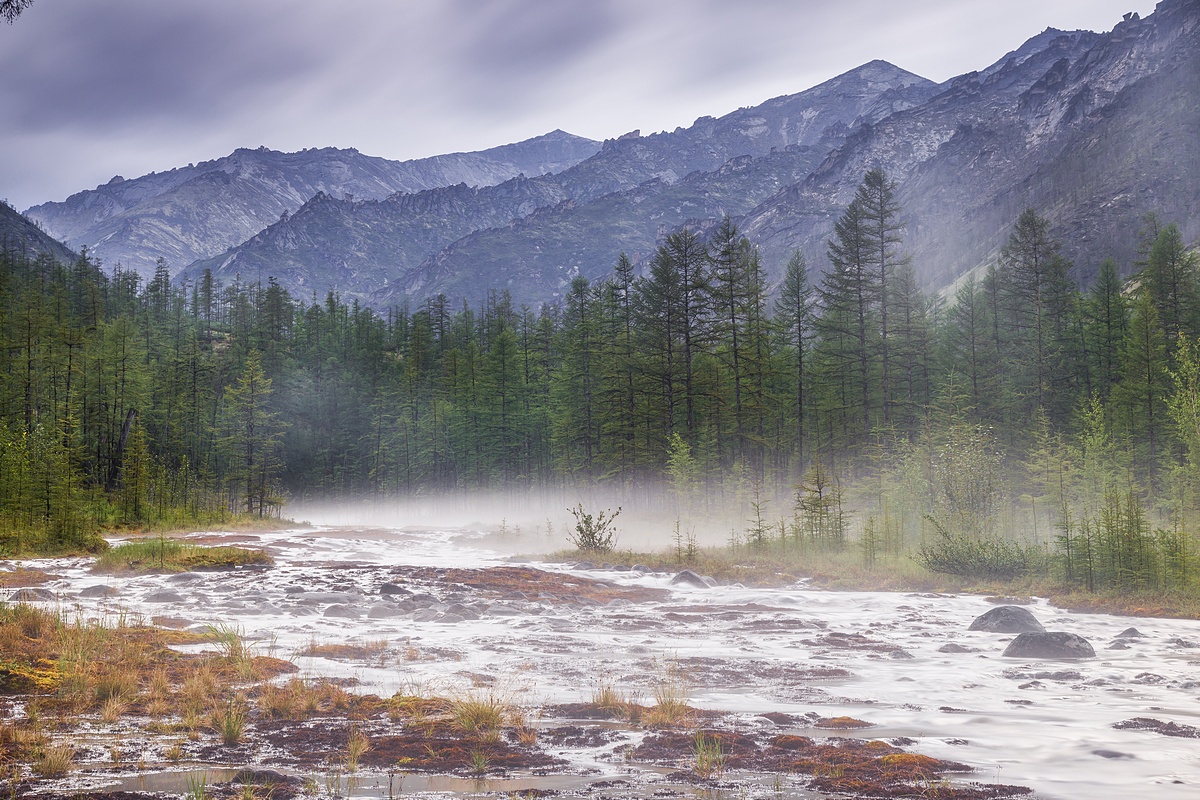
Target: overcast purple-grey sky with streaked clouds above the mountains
x,y
97,88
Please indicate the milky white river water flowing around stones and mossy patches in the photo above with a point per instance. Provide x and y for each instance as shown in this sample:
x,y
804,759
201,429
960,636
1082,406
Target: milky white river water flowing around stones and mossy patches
x,y
1045,725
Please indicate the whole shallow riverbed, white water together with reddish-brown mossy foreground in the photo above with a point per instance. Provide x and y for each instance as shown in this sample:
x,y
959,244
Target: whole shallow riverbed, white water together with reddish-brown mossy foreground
x,y
419,664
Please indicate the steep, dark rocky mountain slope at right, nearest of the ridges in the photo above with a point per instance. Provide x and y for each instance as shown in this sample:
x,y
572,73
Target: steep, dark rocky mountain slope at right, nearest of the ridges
x,y
1091,131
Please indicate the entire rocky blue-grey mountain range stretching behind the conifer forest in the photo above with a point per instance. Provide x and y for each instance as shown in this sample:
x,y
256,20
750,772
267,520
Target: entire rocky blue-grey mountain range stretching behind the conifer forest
x,y
1091,130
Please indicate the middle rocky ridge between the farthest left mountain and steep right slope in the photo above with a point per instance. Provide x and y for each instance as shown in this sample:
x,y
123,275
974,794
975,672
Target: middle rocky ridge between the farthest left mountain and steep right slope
x,y
532,236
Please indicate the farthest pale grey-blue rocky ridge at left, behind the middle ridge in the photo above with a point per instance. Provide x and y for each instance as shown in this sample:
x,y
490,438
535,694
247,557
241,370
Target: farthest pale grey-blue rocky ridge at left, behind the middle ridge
x,y
201,210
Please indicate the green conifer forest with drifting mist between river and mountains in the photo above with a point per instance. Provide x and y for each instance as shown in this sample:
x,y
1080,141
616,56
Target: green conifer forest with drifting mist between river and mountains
x,y
1021,406
